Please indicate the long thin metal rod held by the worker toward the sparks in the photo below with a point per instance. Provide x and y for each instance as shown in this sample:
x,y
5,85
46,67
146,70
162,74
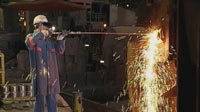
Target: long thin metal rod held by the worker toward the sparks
x,y
99,33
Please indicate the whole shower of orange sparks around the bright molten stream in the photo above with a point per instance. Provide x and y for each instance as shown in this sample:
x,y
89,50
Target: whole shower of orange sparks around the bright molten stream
x,y
148,75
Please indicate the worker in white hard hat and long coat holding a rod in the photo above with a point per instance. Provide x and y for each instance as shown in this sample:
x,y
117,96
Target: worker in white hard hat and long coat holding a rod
x,y
43,50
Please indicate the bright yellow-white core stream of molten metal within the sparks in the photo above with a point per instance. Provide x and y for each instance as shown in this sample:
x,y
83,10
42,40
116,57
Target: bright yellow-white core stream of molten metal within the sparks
x,y
150,87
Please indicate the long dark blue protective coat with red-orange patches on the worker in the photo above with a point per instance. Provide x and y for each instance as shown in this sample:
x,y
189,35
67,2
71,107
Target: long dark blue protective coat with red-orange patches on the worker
x,y
43,52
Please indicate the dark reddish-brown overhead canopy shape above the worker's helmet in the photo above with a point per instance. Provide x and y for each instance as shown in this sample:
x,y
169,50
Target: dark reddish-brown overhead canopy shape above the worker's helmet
x,y
45,6
